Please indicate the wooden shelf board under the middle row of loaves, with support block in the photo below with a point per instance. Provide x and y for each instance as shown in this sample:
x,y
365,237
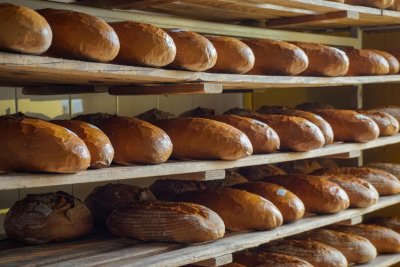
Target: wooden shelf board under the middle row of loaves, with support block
x,y
208,169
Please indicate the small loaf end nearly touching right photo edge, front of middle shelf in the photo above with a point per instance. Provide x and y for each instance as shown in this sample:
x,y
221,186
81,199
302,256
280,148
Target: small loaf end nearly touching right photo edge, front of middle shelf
x,y
388,125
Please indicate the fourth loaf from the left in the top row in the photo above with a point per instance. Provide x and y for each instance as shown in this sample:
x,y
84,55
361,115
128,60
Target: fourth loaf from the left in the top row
x,y
193,51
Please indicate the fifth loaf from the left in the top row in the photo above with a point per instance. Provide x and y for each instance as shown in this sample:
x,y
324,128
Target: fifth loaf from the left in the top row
x,y
234,56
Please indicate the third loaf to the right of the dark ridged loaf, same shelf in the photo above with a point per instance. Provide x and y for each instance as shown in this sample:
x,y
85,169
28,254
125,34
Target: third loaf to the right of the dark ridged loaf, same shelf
x,y
319,195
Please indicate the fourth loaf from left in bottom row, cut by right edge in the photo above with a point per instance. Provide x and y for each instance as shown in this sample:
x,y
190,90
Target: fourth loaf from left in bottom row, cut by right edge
x,y
384,239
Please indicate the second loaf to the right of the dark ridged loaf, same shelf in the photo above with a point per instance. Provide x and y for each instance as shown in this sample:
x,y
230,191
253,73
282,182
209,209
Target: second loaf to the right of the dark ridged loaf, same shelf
x,y
291,207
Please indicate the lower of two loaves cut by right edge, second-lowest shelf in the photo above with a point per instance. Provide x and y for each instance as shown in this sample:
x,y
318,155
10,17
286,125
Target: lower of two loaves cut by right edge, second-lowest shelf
x,y
384,182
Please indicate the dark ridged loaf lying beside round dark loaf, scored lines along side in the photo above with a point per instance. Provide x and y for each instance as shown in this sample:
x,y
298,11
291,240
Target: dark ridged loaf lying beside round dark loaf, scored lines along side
x,y
166,221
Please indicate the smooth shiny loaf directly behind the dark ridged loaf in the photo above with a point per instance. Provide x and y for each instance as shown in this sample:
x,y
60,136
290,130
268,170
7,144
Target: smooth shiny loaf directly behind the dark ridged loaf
x,y
240,210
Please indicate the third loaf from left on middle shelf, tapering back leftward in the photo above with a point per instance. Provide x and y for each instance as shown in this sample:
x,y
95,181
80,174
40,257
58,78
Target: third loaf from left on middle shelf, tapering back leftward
x,y
134,140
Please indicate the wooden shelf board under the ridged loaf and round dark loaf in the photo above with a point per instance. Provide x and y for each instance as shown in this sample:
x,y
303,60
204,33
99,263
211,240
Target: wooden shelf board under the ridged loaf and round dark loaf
x,y
102,249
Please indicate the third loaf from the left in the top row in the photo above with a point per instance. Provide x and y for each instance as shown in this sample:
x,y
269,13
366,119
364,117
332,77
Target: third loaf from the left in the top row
x,y
143,44
